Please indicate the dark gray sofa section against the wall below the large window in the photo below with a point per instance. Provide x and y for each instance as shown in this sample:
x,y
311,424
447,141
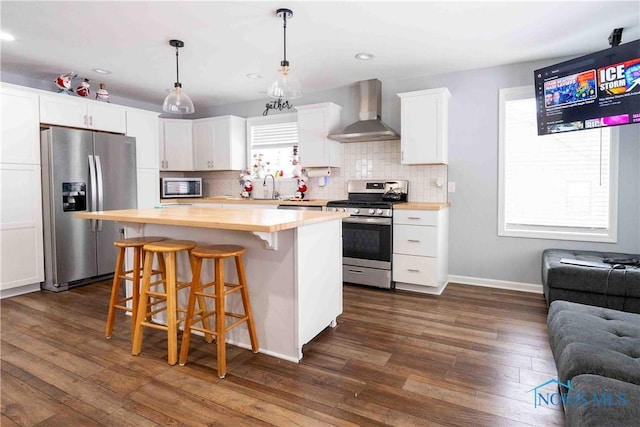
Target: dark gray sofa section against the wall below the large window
x,y
597,283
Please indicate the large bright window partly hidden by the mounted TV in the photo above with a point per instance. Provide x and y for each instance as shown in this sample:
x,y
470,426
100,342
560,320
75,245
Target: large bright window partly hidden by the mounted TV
x,y
558,186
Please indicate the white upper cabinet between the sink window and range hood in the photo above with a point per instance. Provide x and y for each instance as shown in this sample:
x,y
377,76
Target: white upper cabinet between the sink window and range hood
x,y
315,122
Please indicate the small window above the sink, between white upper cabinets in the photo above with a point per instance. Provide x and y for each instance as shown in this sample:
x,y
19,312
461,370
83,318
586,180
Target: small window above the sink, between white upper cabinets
x,y
273,143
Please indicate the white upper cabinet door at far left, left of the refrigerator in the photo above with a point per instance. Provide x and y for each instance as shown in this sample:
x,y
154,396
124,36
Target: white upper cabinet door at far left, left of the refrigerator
x,y
20,126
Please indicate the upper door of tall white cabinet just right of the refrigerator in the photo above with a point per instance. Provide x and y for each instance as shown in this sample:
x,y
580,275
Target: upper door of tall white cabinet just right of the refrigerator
x,y
143,126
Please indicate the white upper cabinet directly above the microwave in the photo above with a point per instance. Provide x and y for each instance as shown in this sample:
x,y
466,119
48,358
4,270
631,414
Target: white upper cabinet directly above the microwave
x,y
176,145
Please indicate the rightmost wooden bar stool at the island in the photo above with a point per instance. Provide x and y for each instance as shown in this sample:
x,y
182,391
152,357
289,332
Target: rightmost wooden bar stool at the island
x,y
218,253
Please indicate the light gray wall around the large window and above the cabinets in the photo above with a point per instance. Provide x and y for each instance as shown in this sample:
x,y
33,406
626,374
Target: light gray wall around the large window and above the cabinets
x,y
475,249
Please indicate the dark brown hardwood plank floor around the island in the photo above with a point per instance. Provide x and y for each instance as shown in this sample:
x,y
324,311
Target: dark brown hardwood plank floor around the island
x,y
467,357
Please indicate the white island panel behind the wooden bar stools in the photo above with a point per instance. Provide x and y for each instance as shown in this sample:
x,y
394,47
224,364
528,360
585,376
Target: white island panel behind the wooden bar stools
x,y
270,279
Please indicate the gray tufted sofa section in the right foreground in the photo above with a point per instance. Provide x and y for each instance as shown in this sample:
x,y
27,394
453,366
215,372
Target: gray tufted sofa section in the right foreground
x,y
597,354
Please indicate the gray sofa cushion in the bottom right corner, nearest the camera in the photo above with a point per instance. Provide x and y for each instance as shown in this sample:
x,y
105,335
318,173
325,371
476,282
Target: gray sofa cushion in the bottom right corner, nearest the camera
x,y
622,409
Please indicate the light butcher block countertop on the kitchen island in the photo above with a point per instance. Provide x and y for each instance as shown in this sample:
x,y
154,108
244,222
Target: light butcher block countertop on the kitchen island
x,y
256,220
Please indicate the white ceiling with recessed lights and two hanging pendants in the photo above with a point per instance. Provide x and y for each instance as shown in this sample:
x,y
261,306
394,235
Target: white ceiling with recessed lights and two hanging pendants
x,y
226,40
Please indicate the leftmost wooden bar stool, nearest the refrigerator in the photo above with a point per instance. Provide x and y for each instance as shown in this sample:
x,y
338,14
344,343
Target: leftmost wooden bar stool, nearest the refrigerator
x,y
121,276
